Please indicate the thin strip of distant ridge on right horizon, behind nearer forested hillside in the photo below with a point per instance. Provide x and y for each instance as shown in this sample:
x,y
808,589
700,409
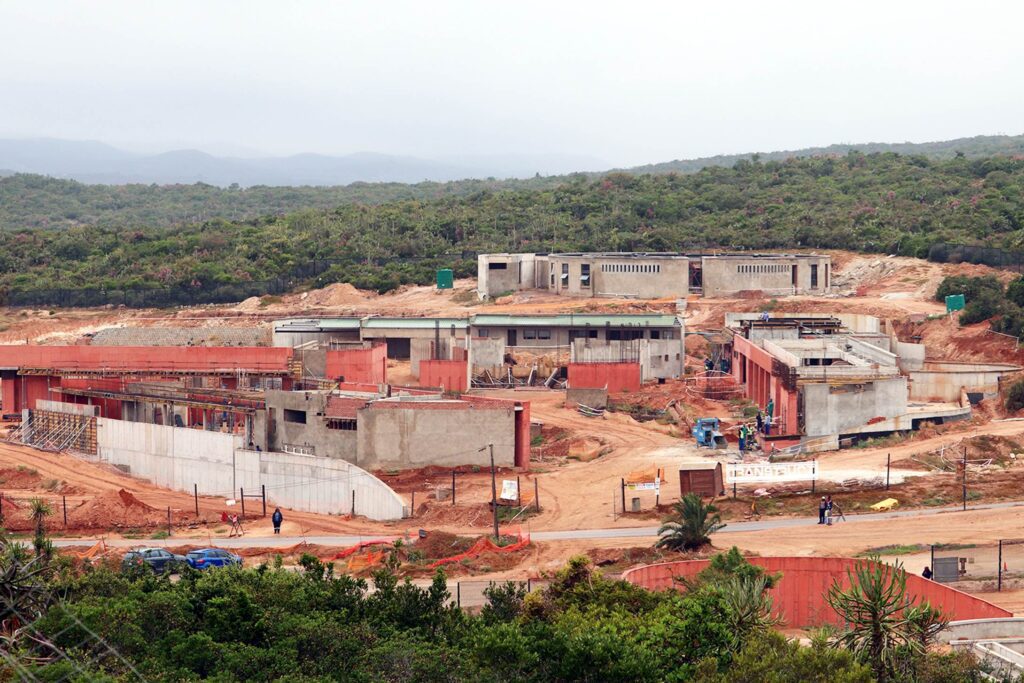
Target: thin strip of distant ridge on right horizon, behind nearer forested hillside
x,y
972,148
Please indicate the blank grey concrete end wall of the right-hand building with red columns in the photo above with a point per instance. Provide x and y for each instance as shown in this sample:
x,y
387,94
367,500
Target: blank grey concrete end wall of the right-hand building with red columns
x,y
842,409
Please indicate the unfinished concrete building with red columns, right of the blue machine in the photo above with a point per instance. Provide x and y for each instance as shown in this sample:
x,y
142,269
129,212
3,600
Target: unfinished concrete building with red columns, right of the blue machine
x,y
839,377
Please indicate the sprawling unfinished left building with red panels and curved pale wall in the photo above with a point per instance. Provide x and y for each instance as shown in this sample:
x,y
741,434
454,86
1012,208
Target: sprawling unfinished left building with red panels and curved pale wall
x,y
229,420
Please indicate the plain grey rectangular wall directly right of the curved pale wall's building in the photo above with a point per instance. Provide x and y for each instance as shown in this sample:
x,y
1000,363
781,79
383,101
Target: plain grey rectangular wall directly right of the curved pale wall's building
x,y
442,434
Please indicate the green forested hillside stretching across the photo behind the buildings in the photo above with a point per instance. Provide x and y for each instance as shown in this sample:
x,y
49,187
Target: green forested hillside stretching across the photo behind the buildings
x,y
878,203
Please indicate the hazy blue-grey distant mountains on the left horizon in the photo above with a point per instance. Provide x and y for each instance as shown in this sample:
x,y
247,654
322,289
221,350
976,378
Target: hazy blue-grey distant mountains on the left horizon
x,y
98,163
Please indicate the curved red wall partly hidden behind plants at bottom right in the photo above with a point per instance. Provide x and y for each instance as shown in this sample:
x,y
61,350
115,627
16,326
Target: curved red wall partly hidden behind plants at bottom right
x,y
800,596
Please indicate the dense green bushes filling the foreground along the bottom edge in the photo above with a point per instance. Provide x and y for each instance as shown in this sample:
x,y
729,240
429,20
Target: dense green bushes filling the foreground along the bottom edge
x,y
273,624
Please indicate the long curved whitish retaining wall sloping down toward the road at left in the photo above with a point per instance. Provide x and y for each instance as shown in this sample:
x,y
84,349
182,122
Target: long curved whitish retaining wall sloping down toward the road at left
x,y
181,458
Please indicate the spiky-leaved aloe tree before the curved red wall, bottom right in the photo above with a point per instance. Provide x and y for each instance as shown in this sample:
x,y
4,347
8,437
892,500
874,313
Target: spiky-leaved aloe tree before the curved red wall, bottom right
x,y
883,629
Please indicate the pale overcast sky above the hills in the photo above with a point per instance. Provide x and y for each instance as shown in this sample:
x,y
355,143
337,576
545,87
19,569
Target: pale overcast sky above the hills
x,y
625,82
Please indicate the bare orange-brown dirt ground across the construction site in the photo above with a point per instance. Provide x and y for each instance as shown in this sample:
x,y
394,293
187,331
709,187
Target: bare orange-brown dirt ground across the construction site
x,y
574,494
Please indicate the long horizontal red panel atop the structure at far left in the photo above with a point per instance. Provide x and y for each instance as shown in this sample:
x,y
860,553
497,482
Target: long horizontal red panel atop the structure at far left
x,y
254,360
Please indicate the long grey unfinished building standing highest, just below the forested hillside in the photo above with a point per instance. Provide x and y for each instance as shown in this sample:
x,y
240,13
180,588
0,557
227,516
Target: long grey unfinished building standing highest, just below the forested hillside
x,y
652,276
